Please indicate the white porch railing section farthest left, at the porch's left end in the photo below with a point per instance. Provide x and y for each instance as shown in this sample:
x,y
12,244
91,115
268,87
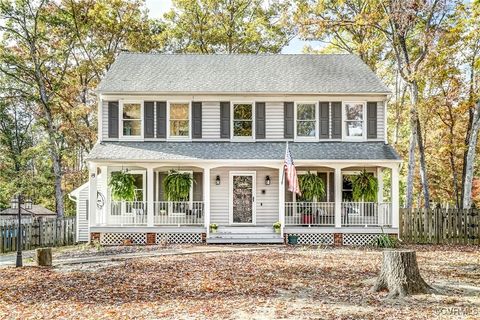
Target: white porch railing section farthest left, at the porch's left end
x,y
128,213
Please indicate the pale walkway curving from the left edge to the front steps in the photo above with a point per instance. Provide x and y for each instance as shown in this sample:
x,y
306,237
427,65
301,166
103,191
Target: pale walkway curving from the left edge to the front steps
x,y
9,260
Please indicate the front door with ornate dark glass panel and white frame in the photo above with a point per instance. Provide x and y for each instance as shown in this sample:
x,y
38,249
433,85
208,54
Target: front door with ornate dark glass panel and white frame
x,y
242,197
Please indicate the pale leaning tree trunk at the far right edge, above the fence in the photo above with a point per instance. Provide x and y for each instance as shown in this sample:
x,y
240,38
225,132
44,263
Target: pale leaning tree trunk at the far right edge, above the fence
x,y
470,159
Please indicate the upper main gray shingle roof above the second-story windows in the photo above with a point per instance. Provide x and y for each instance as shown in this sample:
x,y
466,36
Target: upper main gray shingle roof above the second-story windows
x,y
267,73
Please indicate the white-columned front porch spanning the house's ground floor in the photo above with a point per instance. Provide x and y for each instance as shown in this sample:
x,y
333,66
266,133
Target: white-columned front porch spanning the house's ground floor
x,y
214,200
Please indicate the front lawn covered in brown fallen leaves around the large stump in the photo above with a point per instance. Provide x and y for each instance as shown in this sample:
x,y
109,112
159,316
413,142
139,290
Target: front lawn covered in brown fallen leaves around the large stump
x,y
293,283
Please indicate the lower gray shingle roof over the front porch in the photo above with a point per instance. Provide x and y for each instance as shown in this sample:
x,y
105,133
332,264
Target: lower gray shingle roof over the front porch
x,y
242,150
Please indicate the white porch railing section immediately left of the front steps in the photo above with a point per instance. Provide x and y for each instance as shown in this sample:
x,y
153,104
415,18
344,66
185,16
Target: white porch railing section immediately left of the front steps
x,y
178,213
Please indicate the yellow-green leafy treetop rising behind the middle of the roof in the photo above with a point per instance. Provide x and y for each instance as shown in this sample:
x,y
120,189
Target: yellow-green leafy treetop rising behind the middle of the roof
x,y
227,26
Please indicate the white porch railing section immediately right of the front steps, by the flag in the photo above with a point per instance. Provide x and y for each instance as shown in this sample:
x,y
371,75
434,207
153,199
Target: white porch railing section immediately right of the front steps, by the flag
x,y
310,213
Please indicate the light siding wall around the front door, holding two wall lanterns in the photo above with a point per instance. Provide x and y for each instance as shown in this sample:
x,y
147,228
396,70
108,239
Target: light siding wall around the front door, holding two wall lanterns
x,y
266,205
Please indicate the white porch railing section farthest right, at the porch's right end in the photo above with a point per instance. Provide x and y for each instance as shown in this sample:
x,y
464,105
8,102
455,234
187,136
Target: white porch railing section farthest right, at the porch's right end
x,y
366,214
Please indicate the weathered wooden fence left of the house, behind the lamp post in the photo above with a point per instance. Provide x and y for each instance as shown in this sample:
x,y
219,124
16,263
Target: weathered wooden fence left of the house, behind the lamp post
x,y
38,233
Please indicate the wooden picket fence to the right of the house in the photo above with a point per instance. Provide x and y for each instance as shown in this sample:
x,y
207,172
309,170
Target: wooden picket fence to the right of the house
x,y
440,226
